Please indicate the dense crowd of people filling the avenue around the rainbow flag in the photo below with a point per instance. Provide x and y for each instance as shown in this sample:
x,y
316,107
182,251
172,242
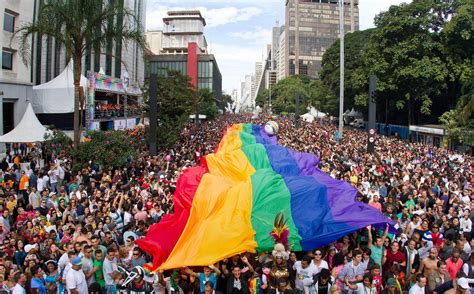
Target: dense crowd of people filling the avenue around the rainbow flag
x,y
74,232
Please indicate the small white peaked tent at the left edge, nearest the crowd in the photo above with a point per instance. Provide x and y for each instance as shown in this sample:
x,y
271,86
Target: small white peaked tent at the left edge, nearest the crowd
x,y
29,130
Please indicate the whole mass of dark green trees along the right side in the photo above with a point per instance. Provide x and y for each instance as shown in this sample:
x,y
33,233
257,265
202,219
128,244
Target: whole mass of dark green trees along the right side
x,y
421,53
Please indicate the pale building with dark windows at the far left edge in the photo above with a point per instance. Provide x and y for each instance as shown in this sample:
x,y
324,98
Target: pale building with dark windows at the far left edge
x,y
15,76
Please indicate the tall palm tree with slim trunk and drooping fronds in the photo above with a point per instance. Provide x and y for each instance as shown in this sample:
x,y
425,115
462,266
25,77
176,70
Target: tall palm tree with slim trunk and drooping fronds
x,y
79,25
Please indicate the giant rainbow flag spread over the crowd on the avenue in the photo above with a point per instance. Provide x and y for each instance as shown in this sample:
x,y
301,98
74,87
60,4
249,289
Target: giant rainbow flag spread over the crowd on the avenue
x,y
228,205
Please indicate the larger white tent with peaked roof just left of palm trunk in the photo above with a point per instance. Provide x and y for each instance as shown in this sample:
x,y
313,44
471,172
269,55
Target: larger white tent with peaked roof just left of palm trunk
x,y
57,95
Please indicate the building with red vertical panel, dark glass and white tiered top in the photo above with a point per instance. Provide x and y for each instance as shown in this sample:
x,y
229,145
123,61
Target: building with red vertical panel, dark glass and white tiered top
x,y
184,48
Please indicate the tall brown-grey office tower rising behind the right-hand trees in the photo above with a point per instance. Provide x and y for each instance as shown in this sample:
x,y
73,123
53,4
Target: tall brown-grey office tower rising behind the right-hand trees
x,y
311,26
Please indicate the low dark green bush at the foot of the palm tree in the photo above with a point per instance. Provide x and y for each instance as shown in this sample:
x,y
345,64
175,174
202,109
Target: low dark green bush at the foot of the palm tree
x,y
108,149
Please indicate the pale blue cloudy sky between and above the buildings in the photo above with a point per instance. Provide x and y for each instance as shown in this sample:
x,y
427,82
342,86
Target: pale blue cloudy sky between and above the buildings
x,y
237,31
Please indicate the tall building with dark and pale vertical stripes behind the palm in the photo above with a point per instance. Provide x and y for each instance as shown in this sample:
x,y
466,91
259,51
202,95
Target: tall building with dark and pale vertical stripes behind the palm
x,y
115,58
